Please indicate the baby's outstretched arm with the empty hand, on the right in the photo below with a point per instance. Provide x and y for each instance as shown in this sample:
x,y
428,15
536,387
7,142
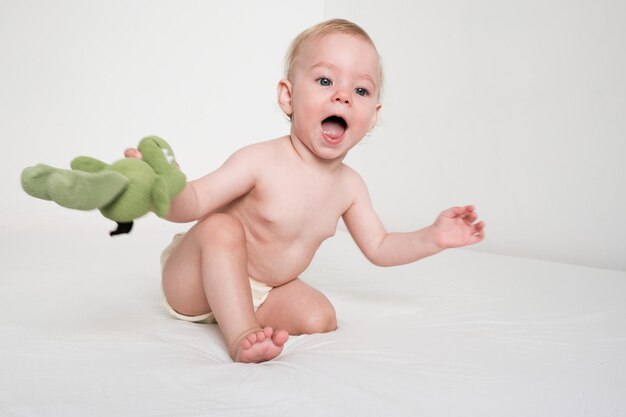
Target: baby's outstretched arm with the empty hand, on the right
x,y
454,227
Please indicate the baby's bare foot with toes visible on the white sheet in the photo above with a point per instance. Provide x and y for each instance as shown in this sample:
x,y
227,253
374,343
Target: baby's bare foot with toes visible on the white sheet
x,y
259,345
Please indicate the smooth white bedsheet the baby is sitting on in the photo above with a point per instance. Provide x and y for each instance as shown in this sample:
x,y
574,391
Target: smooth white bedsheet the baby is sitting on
x,y
83,333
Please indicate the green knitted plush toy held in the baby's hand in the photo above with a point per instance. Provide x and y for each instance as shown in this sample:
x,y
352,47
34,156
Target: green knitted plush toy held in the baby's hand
x,y
123,191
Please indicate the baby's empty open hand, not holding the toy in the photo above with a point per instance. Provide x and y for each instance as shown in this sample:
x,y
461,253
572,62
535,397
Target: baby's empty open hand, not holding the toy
x,y
457,227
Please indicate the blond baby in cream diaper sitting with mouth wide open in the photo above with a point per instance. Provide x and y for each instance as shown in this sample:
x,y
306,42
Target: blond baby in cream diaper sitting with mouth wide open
x,y
264,213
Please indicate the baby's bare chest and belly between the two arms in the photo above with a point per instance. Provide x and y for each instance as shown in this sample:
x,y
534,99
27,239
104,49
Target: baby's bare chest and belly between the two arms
x,y
290,211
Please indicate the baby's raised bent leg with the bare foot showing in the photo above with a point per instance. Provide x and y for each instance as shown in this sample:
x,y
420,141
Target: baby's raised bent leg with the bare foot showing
x,y
208,272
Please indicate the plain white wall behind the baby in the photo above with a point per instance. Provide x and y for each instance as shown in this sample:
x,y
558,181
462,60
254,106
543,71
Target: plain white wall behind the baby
x,y
517,107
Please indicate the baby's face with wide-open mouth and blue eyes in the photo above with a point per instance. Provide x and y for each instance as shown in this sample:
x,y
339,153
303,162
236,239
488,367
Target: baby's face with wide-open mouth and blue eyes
x,y
335,88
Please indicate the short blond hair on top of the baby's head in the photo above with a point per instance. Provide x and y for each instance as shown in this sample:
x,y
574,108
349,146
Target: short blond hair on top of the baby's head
x,y
321,29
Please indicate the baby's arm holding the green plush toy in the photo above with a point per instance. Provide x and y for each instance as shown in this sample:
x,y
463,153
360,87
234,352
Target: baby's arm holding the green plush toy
x,y
202,196
